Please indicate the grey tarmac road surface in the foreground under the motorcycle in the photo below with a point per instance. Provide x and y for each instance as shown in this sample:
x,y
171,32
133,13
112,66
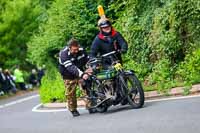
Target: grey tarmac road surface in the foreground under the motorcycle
x,y
182,116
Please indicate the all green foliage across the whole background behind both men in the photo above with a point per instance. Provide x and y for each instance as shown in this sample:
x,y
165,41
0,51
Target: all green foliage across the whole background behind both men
x,y
163,35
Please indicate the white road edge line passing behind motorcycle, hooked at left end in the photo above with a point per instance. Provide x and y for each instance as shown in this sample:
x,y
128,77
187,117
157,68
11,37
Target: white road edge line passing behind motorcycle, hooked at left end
x,y
36,108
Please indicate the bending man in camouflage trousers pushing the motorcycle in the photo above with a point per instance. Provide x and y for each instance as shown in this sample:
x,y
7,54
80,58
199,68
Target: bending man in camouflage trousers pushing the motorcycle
x,y
72,60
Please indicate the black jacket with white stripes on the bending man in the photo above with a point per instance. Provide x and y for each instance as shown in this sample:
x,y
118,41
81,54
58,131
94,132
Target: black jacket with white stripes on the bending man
x,y
72,67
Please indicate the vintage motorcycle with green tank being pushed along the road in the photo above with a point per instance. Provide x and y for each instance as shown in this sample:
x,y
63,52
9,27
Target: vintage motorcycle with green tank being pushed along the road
x,y
113,85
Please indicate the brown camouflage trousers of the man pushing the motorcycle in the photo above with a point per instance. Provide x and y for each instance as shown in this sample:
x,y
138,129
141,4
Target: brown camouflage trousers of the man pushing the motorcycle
x,y
70,93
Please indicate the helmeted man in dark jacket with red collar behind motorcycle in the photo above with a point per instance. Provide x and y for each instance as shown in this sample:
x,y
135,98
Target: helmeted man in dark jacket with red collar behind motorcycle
x,y
108,40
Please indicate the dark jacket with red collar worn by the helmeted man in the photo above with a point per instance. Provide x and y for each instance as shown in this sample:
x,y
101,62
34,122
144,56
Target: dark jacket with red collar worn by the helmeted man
x,y
105,44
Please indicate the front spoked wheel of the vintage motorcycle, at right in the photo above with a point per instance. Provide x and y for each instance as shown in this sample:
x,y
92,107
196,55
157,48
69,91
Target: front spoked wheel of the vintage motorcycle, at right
x,y
134,90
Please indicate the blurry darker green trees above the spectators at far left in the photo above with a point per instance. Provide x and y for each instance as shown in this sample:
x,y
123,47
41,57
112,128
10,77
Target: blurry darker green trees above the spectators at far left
x,y
19,20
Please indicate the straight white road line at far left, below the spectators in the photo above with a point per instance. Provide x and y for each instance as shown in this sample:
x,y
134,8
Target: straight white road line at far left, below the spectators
x,y
18,101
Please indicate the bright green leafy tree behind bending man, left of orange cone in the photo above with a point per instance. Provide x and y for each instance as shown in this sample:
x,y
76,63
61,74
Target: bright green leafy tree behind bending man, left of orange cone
x,y
65,21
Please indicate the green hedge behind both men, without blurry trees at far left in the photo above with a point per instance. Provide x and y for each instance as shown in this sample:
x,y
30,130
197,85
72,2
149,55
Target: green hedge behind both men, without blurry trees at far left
x,y
163,38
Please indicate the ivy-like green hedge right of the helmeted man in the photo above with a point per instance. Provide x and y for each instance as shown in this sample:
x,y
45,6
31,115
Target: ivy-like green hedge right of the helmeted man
x,y
160,34
